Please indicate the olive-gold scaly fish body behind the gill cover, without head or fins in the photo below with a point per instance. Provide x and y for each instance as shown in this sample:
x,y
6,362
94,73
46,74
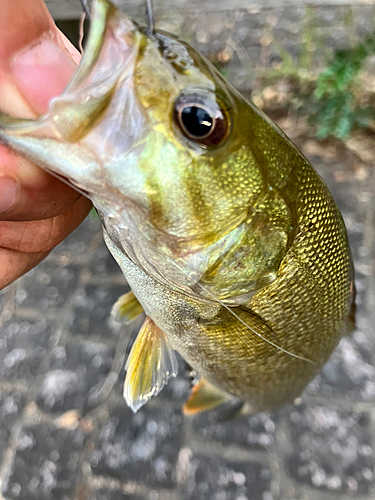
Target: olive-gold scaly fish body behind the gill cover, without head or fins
x,y
305,309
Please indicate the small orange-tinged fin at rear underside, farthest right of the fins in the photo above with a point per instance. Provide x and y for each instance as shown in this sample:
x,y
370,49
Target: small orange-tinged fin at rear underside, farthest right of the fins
x,y
203,397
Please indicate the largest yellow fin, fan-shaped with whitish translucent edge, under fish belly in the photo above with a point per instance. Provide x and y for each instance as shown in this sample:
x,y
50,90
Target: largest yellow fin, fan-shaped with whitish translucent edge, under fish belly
x,y
150,364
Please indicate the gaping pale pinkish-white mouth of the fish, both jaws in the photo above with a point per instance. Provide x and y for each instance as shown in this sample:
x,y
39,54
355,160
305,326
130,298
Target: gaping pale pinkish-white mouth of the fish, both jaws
x,y
89,129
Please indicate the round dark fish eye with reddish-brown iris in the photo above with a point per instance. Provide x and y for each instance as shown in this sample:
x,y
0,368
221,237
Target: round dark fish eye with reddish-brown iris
x,y
201,119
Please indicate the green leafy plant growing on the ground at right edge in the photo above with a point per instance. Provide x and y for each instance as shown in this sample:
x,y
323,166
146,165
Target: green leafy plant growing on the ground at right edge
x,y
334,105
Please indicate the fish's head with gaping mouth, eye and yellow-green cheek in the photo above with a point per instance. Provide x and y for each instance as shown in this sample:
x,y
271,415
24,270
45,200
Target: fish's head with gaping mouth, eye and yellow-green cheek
x,y
152,133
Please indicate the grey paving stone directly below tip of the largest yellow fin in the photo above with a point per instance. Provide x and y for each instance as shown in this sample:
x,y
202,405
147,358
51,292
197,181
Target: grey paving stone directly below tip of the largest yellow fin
x,y
142,447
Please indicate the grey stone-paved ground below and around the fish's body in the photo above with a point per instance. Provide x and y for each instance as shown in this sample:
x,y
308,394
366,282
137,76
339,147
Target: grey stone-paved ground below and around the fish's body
x,y
66,433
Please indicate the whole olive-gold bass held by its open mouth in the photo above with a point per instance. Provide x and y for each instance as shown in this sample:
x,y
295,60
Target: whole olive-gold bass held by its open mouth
x,y
231,242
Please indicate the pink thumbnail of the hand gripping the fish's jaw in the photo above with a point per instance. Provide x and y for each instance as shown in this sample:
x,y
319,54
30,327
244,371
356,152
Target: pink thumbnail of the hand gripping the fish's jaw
x,y
42,72
